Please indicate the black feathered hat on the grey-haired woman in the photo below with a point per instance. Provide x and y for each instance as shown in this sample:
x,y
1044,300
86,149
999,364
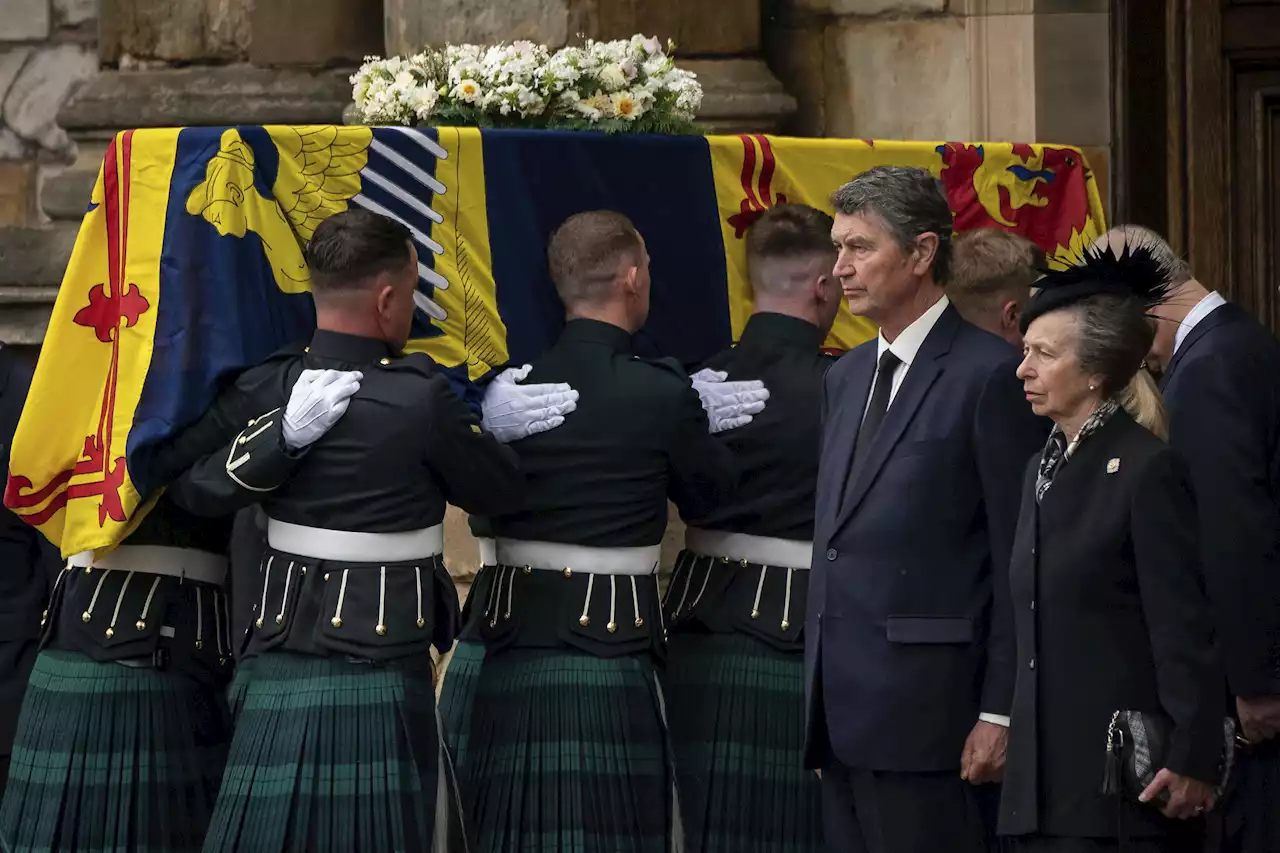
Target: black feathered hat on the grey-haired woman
x,y
1136,273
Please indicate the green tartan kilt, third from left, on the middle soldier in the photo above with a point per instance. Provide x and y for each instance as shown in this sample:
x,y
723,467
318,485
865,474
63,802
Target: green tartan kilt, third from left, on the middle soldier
x,y
560,751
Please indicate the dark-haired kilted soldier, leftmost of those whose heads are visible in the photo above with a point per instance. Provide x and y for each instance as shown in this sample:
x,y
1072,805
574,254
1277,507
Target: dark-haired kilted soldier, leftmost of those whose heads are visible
x,y
337,742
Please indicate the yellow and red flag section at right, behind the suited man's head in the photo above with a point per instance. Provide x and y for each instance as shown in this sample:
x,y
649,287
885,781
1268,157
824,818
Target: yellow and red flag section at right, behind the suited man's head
x,y
1044,193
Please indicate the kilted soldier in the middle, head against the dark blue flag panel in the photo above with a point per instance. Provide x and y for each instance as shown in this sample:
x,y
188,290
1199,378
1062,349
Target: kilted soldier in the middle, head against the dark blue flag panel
x,y
552,699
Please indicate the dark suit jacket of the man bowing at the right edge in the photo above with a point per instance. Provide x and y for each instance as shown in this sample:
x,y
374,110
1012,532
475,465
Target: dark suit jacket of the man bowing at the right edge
x,y
1223,393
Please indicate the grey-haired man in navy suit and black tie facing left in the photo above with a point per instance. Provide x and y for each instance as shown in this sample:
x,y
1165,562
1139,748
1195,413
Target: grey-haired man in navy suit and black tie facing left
x,y
926,435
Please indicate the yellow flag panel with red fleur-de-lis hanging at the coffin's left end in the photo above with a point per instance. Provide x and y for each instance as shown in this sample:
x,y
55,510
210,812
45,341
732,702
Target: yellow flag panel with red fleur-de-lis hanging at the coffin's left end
x,y
71,440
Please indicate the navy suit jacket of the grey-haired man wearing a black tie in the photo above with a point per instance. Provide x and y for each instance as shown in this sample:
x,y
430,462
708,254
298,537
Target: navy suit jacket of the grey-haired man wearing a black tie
x,y
908,640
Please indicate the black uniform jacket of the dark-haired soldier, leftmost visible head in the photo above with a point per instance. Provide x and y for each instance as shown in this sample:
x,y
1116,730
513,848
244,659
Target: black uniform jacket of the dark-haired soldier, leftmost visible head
x,y
405,449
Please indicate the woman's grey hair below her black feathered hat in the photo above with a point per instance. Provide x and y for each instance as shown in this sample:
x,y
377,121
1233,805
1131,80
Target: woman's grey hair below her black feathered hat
x,y
1113,340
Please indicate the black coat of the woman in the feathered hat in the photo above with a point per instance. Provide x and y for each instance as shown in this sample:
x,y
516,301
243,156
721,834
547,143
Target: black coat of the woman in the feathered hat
x,y
1112,617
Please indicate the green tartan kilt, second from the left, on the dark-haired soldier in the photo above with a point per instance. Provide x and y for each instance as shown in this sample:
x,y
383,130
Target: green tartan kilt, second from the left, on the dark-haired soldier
x,y
333,754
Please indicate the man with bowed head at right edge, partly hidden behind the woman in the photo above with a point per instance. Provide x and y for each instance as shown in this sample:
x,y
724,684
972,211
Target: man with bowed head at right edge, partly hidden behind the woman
x,y
1222,384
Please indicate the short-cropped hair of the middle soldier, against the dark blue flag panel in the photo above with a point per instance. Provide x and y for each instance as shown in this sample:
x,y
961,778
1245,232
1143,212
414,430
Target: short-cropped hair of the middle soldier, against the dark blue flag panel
x,y
586,253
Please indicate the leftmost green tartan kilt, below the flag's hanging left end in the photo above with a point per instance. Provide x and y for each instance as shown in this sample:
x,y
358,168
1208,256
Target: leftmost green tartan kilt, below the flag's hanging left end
x,y
113,758
